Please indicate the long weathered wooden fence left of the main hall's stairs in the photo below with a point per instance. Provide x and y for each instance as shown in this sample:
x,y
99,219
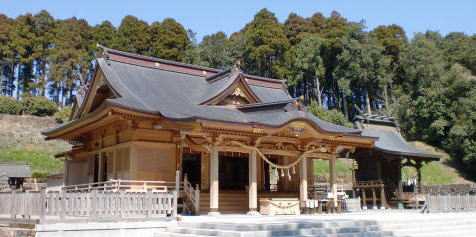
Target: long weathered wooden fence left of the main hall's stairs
x,y
89,205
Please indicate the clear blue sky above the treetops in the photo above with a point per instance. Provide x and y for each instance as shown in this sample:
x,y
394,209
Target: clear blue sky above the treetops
x,y
205,17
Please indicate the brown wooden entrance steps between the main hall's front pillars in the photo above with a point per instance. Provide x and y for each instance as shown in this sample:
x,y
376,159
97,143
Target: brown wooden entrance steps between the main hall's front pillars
x,y
236,202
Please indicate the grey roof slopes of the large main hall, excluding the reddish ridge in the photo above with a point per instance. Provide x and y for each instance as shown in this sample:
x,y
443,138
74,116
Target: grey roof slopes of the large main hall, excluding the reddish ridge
x,y
178,96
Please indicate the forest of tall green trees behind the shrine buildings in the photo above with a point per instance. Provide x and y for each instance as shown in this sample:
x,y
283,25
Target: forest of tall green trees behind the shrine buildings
x,y
427,81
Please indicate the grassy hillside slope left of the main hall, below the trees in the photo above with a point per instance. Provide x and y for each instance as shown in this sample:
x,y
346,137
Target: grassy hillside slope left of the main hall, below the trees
x,y
21,141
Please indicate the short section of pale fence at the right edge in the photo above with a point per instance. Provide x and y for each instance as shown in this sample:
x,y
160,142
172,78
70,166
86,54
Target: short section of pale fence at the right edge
x,y
450,203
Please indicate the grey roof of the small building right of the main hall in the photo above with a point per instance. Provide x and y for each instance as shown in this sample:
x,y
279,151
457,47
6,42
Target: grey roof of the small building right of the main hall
x,y
392,142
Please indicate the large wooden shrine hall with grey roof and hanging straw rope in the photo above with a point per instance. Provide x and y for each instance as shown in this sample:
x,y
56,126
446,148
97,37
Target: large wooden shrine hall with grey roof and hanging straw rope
x,y
233,137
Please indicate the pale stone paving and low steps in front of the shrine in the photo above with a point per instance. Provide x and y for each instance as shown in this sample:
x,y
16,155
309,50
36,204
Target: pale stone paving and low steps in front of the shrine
x,y
372,223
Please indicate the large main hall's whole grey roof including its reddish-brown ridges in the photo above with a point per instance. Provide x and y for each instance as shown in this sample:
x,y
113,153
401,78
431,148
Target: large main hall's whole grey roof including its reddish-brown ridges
x,y
177,91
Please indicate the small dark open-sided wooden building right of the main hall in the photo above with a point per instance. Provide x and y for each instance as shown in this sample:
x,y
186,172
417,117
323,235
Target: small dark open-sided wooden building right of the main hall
x,y
379,170
